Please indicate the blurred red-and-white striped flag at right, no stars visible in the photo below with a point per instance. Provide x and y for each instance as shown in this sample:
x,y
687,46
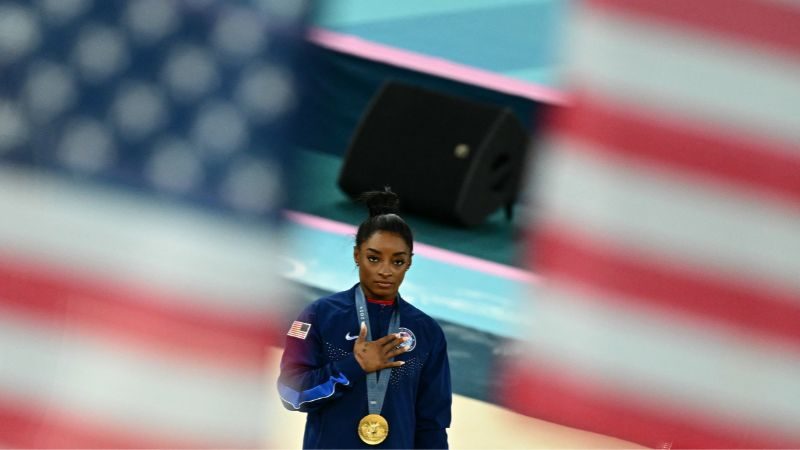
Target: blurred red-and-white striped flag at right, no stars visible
x,y
667,229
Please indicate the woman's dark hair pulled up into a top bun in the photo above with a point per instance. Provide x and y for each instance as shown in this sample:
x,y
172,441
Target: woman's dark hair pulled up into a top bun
x,y
383,208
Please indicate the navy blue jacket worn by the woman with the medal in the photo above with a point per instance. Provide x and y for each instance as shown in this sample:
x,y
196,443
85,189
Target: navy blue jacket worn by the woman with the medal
x,y
320,376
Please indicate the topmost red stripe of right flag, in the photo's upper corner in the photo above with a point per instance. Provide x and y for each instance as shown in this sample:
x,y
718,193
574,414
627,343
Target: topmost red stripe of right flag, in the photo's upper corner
x,y
767,23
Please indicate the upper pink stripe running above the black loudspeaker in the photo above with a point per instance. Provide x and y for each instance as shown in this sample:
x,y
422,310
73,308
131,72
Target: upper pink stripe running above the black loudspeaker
x,y
434,66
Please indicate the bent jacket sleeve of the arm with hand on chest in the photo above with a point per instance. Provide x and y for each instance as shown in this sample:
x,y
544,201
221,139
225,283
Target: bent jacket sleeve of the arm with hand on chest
x,y
308,380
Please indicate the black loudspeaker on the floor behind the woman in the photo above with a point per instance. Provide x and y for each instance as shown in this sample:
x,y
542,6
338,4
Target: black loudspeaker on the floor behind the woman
x,y
447,158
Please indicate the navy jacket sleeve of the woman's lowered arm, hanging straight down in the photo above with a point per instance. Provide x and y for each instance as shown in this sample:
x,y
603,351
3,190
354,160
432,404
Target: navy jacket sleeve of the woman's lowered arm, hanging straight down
x,y
434,399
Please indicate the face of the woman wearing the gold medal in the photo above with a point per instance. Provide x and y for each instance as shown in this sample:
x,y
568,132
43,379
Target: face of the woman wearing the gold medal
x,y
382,260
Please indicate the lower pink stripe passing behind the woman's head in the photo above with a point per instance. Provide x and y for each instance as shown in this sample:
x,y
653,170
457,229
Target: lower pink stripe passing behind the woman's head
x,y
428,251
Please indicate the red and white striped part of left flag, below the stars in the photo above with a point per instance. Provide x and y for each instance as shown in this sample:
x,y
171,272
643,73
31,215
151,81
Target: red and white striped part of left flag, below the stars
x,y
127,323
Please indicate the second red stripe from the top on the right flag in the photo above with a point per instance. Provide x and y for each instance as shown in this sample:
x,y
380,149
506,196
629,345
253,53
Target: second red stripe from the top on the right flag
x,y
767,167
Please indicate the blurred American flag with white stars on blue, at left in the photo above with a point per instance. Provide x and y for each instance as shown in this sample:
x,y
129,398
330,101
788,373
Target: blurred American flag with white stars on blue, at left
x,y
143,151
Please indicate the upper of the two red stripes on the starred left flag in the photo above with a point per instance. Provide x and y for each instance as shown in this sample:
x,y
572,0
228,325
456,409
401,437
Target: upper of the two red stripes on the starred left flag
x,y
134,315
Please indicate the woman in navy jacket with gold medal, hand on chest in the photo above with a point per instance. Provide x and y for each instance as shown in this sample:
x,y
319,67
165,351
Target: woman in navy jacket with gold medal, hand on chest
x,y
369,368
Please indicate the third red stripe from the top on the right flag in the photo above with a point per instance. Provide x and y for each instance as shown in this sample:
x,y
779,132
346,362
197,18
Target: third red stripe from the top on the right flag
x,y
565,254
